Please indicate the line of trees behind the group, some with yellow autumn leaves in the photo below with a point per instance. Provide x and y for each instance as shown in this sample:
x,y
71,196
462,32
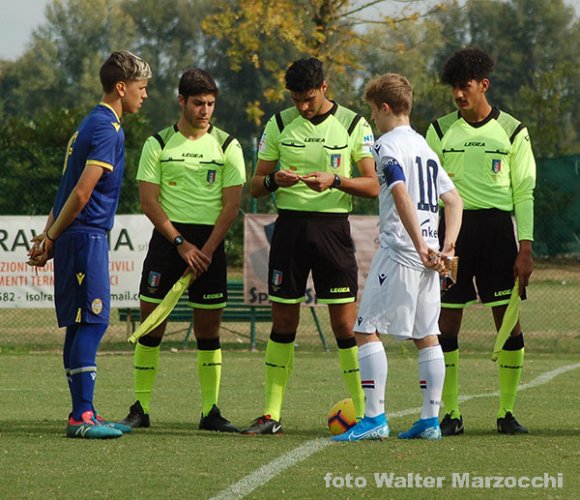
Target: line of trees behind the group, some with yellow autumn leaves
x,y
247,46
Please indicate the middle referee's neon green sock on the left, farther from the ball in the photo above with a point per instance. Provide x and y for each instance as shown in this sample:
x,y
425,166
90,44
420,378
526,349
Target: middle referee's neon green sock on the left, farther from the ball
x,y
279,359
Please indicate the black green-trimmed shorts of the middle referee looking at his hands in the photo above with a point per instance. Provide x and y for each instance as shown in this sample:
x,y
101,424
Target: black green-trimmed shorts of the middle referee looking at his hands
x,y
317,242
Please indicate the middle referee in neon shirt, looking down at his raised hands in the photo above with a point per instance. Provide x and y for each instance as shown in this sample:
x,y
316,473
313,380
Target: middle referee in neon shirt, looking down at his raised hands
x,y
306,158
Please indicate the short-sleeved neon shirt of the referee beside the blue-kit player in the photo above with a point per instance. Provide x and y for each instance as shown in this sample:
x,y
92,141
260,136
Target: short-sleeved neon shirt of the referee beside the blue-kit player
x,y
192,174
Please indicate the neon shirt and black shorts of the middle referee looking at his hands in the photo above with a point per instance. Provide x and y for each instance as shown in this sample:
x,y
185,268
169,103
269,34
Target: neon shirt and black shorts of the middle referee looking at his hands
x,y
312,232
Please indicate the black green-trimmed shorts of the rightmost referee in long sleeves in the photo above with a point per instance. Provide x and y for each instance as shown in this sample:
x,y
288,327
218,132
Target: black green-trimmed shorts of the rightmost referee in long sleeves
x,y
487,249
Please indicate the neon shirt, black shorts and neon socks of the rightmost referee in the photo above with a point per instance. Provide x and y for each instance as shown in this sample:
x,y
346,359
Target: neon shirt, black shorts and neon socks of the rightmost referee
x,y
492,166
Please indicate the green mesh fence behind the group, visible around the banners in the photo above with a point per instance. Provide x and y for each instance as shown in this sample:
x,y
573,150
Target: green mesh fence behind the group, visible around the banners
x,y
548,316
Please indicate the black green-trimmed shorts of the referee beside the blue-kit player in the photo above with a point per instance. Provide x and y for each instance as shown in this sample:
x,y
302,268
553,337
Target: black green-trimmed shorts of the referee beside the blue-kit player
x,y
163,267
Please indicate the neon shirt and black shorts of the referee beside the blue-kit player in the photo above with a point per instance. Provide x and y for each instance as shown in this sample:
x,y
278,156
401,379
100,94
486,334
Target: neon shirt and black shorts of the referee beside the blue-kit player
x,y
191,176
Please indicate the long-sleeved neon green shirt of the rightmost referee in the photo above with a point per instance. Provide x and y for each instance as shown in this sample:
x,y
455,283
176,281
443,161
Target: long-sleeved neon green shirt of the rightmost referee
x,y
491,164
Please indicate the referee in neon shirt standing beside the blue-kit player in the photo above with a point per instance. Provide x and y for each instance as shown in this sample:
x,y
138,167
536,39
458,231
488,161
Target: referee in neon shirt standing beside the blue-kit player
x,y
191,176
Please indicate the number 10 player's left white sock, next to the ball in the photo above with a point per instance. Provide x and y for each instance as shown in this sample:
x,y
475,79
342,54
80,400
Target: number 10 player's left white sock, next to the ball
x,y
373,373
